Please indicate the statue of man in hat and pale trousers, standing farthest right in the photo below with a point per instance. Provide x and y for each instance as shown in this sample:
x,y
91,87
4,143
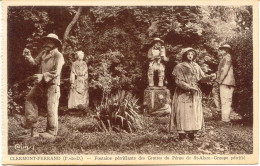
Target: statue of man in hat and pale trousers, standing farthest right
x,y
226,81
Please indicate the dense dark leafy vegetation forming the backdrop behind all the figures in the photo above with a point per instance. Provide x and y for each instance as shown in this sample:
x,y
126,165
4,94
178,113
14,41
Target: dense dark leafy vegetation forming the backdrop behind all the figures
x,y
116,39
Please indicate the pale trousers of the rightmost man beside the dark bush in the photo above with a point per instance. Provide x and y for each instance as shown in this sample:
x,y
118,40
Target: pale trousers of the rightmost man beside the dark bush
x,y
226,93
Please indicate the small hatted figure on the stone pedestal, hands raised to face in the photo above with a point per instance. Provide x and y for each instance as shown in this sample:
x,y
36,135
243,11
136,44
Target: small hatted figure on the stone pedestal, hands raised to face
x,y
156,54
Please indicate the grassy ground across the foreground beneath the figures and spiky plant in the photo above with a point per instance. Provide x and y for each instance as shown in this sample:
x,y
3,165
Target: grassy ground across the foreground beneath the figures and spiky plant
x,y
80,135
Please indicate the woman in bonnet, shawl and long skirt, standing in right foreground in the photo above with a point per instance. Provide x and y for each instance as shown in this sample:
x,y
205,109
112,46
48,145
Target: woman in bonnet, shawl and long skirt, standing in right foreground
x,y
187,114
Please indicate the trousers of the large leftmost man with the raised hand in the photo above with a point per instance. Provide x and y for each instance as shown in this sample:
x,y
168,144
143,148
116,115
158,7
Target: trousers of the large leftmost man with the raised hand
x,y
37,94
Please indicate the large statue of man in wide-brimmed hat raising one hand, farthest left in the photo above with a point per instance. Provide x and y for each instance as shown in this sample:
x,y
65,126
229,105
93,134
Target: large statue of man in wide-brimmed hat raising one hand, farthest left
x,y
46,85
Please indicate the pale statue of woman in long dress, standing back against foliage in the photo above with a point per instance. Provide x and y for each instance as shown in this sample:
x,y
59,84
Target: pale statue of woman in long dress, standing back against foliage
x,y
78,96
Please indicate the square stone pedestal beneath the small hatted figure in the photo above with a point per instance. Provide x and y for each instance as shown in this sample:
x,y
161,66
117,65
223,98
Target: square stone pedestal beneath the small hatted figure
x,y
155,98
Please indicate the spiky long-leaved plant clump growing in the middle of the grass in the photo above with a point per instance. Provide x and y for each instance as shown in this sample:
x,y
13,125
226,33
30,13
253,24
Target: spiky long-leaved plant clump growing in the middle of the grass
x,y
119,112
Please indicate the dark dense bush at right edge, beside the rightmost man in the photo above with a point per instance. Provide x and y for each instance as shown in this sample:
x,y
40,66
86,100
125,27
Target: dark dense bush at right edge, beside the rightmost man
x,y
242,46
